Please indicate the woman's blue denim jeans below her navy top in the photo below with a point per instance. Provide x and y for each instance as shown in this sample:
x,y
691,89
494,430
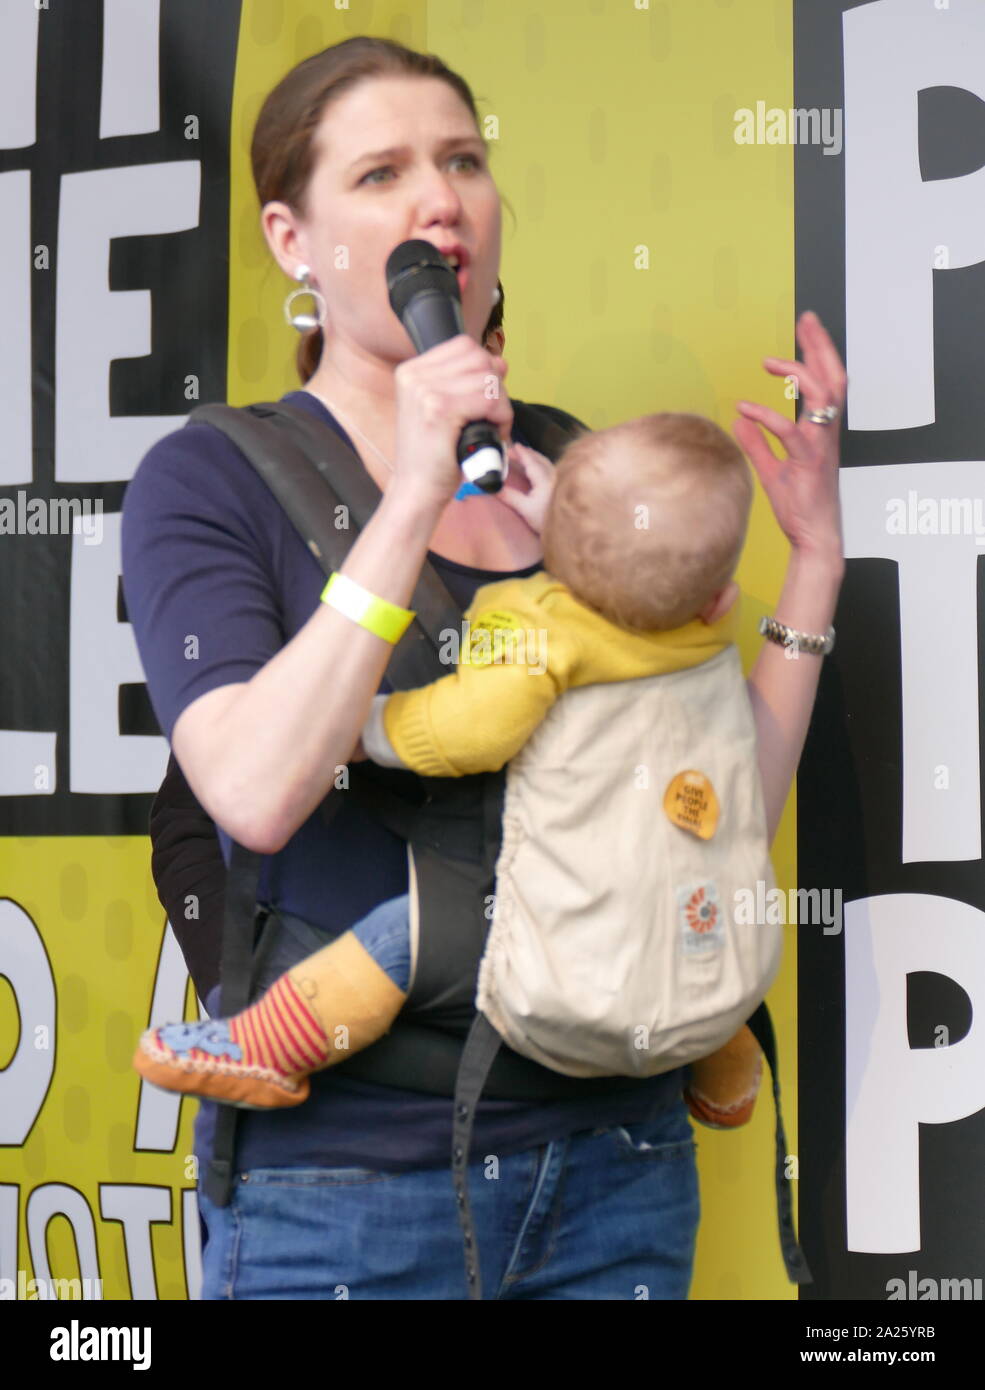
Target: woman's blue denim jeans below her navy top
x,y
599,1216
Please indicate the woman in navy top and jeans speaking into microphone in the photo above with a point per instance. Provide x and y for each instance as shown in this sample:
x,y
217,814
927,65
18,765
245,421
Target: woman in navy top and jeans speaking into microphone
x,y
262,690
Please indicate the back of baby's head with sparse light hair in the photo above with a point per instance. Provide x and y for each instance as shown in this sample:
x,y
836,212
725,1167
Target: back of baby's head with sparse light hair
x,y
648,519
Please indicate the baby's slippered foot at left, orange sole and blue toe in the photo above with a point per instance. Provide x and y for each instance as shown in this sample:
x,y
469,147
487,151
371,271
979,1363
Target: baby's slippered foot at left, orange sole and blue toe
x,y
208,1060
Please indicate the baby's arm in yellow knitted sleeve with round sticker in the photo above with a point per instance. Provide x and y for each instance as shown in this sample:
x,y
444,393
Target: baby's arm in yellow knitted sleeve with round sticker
x,y
481,715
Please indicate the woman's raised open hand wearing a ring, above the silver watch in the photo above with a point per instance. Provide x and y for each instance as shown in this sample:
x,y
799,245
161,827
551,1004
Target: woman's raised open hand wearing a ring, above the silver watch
x,y
804,487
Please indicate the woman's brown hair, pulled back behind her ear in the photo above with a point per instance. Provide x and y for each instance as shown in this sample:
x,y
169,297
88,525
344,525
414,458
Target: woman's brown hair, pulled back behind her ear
x,y
283,151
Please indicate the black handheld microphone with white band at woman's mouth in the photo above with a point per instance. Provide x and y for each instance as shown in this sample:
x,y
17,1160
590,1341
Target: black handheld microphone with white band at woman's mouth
x,y
424,295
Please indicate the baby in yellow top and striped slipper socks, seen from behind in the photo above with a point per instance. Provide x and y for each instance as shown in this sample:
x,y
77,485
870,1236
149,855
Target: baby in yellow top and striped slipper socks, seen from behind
x,y
643,536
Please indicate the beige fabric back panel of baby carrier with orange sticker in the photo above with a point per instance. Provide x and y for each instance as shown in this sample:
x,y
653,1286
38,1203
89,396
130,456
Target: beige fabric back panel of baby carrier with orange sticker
x,y
633,829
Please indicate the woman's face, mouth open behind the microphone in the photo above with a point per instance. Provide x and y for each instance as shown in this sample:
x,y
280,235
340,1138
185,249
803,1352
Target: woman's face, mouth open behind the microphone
x,y
398,159
